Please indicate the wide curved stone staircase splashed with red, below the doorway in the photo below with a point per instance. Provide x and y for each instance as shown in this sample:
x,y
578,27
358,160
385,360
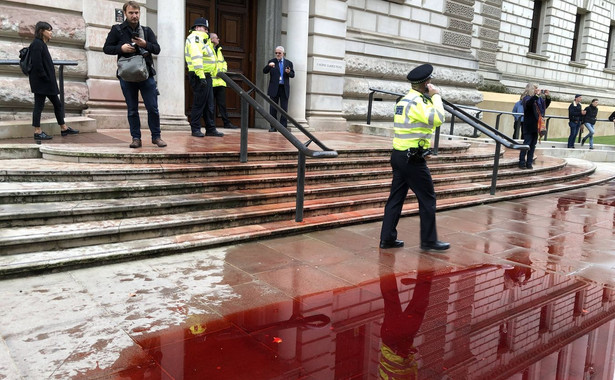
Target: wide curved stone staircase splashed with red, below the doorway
x,y
77,207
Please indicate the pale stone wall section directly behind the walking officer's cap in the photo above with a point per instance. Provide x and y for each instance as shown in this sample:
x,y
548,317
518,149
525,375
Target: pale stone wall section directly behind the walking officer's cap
x,y
384,41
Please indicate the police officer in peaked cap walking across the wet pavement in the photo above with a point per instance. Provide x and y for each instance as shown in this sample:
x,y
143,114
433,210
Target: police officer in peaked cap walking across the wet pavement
x,y
416,117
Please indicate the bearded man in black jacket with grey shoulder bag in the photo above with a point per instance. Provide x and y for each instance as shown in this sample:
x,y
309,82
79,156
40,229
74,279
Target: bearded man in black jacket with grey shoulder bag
x,y
127,39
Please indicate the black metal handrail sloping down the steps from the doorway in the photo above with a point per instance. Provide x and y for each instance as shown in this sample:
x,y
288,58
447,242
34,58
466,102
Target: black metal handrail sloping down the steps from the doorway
x,y
302,148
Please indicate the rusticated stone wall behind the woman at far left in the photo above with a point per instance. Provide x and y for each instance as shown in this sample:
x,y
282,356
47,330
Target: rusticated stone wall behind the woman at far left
x,y
17,23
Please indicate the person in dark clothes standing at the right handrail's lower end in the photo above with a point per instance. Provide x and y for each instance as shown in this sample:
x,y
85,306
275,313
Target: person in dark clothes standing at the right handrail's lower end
x,y
531,112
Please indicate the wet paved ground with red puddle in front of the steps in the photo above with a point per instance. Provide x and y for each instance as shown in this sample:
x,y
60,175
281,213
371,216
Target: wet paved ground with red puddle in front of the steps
x,y
527,291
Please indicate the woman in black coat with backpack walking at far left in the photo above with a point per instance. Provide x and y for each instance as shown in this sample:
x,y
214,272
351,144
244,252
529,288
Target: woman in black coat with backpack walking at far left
x,y
43,82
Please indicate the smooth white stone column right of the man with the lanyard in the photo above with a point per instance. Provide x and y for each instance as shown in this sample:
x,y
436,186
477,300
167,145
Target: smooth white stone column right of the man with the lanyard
x,y
297,50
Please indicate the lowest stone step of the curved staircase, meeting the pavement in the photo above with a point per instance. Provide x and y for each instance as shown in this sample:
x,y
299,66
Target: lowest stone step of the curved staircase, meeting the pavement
x,y
40,261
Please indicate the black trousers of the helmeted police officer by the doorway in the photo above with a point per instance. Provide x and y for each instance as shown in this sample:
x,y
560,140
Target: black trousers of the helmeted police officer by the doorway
x,y
203,105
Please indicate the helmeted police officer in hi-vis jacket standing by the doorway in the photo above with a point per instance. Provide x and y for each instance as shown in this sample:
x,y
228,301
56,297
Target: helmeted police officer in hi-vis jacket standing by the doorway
x,y
201,60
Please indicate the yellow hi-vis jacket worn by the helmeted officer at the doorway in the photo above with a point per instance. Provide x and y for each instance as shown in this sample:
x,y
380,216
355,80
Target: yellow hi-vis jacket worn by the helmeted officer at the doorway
x,y
199,54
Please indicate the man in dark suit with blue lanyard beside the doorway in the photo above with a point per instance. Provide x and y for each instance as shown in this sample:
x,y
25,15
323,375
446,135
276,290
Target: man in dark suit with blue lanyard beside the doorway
x,y
280,71
